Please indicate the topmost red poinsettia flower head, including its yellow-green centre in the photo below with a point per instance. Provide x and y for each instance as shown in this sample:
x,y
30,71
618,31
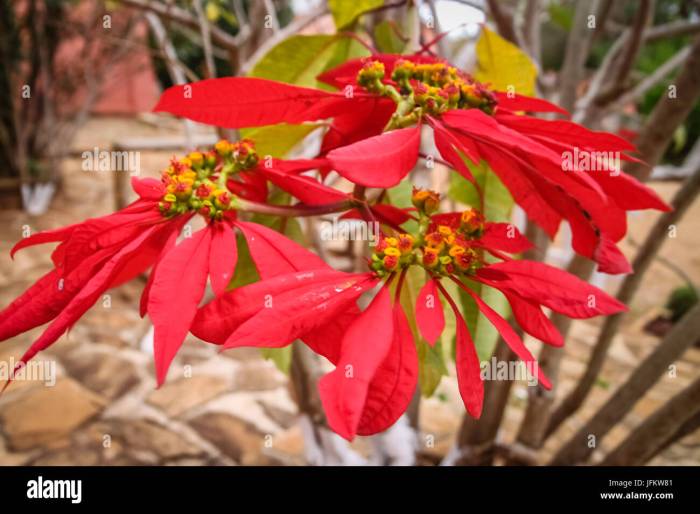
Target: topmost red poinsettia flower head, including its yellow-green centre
x,y
374,139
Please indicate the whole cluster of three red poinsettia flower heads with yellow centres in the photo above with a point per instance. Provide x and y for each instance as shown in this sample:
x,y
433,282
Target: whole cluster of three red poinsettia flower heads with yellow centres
x,y
379,111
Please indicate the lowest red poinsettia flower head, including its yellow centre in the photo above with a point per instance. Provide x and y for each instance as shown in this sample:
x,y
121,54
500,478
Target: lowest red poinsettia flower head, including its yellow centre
x,y
376,364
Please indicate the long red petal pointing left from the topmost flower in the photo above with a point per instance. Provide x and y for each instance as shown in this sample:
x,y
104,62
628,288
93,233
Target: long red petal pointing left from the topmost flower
x,y
237,102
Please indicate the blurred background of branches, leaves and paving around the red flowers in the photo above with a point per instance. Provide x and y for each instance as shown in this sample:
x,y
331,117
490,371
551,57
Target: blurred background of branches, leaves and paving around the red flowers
x,y
78,80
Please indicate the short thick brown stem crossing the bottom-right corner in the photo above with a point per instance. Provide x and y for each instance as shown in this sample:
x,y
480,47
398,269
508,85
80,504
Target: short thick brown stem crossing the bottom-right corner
x,y
643,443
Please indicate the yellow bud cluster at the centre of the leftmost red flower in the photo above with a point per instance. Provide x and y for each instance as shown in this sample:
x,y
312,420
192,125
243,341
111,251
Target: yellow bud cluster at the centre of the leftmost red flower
x,y
198,182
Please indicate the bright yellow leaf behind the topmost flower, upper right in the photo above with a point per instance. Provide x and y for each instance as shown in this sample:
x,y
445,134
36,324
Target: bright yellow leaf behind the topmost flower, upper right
x,y
504,65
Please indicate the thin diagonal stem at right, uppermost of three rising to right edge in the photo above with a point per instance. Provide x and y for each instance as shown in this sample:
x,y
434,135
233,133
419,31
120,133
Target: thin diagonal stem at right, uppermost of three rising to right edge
x,y
645,256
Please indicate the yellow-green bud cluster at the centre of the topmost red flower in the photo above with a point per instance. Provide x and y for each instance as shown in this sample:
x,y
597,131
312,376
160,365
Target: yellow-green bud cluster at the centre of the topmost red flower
x,y
425,89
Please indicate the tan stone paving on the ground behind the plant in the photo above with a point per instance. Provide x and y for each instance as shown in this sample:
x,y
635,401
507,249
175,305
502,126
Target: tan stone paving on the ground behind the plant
x,y
234,408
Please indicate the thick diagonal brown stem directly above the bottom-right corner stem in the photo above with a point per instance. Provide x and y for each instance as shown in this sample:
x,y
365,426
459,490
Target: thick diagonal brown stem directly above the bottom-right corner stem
x,y
683,335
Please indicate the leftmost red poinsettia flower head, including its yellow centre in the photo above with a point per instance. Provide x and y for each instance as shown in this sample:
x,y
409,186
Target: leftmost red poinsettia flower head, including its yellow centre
x,y
101,253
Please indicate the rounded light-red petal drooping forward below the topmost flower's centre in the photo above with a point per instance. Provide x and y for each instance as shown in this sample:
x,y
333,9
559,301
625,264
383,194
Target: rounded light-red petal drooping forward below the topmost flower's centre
x,y
379,161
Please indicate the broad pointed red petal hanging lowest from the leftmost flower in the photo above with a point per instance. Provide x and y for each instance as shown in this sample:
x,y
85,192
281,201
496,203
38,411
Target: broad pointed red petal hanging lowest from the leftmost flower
x,y
178,287
